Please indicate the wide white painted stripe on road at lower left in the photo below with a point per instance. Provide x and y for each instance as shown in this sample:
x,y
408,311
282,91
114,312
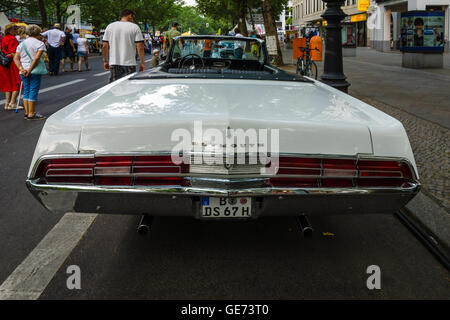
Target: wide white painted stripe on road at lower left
x,y
34,274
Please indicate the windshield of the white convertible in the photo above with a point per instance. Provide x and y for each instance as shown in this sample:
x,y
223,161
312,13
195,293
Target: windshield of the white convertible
x,y
210,48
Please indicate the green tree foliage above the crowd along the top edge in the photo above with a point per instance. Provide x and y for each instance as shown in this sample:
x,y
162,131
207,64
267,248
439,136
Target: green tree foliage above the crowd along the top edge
x,y
158,14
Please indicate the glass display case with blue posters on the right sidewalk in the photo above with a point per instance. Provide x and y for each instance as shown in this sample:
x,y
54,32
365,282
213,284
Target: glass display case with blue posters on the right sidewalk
x,y
422,31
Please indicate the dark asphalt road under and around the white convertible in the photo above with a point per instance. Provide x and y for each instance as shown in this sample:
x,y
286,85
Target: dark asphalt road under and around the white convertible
x,y
188,259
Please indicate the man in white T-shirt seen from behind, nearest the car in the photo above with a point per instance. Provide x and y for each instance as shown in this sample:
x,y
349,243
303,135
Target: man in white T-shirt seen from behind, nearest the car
x,y
120,41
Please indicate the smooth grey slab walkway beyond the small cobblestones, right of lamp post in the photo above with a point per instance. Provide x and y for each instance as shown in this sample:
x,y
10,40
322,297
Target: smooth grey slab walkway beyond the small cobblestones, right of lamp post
x,y
422,92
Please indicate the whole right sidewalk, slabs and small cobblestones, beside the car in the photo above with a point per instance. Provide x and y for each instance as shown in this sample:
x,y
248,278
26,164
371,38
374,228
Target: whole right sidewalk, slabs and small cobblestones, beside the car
x,y
429,139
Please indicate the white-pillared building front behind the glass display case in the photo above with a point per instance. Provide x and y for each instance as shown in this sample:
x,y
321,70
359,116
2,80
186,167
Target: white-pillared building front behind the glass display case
x,y
384,20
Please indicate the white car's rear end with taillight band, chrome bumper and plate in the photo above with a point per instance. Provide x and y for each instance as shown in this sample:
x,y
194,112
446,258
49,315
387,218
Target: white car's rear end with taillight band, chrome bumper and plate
x,y
154,184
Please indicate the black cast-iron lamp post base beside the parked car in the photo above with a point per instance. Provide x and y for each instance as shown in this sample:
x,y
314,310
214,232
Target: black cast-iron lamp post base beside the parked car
x,y
333,73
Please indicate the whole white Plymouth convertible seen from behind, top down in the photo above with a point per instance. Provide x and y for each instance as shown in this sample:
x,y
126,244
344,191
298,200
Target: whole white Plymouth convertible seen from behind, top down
x,y
216,134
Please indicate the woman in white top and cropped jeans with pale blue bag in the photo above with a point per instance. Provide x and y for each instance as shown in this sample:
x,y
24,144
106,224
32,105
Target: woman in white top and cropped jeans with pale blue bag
x,y
31,67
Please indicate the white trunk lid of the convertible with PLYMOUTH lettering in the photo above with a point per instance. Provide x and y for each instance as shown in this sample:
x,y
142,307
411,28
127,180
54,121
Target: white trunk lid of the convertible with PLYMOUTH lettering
x,y
142,115
